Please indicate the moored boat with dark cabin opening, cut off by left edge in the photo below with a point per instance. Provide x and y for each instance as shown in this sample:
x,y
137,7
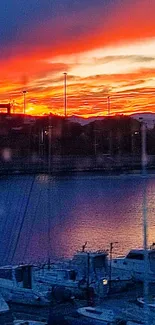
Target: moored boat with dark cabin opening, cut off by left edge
x,y
16,285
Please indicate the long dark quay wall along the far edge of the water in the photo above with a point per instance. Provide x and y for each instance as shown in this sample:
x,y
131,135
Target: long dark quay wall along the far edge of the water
x,y
103,163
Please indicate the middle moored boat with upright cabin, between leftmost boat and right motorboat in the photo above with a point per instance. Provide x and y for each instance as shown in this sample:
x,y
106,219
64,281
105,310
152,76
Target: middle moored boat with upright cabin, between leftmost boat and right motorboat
x,y
84,271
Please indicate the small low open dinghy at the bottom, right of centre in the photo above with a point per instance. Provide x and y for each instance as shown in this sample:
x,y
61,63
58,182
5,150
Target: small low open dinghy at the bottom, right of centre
x,y
105,316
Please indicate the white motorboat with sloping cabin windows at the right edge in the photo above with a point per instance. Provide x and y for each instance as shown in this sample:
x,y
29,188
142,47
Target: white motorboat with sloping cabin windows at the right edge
x,y
132,265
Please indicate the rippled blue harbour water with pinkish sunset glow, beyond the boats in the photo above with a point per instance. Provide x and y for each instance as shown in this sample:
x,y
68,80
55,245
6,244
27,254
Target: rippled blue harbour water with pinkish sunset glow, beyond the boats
x,y
97,209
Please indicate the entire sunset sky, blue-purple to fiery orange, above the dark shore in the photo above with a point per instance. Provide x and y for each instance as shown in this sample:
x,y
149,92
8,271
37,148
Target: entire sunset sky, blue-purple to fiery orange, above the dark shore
x,y
107,48
